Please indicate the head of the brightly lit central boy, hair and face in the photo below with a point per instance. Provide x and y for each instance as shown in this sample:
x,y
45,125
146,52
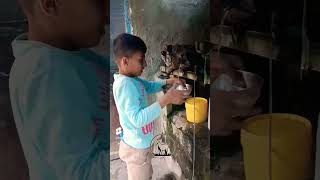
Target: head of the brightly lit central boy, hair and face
x,y
129,52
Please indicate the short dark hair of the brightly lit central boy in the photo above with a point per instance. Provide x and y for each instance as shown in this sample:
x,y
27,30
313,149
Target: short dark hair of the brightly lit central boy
x,y
126,45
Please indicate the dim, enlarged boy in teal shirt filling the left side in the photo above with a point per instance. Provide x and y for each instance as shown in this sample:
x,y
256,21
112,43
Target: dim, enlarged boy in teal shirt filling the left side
x,y
58,91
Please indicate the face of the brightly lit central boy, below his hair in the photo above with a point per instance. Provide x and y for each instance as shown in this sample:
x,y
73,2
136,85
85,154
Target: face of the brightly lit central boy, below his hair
x,y
136,64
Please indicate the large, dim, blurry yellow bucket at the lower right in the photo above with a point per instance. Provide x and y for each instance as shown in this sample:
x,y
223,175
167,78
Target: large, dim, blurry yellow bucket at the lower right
x,y
291,141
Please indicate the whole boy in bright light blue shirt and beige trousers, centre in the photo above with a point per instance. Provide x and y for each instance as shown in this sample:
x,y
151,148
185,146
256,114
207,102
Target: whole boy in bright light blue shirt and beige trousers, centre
x,y
130,95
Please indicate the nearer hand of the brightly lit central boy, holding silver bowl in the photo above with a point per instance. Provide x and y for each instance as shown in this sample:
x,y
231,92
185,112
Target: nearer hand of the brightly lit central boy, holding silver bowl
x,y
172,96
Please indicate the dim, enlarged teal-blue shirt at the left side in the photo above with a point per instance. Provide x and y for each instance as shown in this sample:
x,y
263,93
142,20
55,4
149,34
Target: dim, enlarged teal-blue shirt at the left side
x,y
60,106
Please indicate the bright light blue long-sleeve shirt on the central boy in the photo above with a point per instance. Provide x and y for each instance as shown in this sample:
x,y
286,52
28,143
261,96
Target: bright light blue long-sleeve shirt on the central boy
x,y
136,117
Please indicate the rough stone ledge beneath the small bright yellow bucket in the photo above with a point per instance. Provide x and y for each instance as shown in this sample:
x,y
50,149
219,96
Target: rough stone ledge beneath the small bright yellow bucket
x,y
182,133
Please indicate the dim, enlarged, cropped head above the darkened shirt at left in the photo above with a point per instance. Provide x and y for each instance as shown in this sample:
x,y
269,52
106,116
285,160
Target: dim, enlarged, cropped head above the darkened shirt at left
x,y
66,24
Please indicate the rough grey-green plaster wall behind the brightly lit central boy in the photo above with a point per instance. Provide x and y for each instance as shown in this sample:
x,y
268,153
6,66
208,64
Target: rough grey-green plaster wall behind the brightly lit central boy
x,y
161,22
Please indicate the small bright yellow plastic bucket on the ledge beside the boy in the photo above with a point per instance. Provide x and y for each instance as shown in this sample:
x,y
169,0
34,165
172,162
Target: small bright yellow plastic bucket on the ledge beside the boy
x,y
196,109
